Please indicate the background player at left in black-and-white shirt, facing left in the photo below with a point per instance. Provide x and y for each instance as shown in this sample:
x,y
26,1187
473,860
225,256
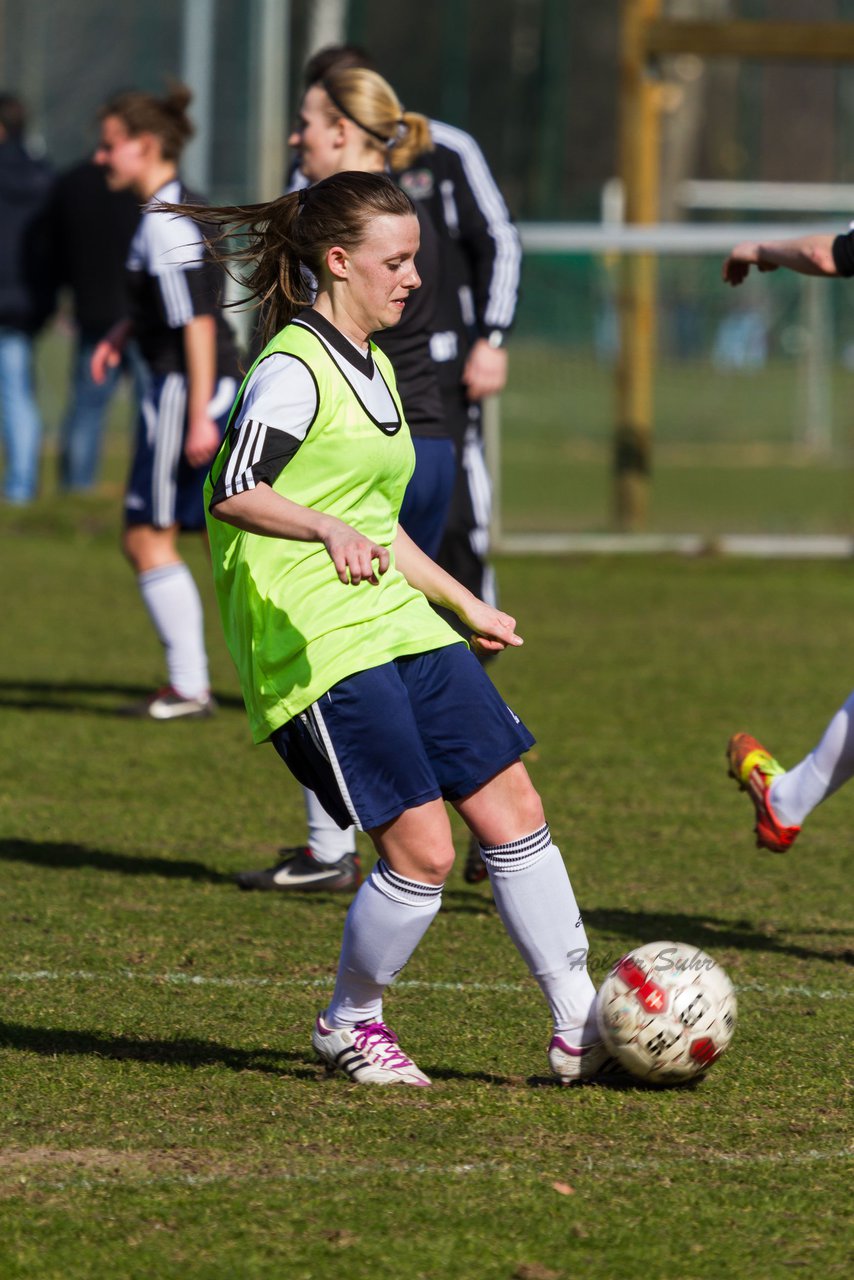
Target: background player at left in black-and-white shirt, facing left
x,y
191,369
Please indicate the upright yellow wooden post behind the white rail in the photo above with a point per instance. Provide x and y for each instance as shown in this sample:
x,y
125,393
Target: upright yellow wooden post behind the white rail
x,y
640,170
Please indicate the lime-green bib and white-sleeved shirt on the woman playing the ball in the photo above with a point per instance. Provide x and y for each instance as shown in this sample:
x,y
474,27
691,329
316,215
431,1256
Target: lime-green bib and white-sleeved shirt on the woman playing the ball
x,y
293,627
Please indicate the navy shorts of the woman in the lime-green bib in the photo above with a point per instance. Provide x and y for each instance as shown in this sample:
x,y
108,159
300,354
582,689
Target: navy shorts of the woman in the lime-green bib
x,y
392,738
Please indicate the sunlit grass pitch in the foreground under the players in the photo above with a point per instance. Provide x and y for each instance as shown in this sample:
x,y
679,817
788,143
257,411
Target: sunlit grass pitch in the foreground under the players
x,y
161,1114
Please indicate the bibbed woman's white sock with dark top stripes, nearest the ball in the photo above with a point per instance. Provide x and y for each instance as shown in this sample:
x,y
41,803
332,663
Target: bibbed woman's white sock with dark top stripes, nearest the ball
x,y
538,909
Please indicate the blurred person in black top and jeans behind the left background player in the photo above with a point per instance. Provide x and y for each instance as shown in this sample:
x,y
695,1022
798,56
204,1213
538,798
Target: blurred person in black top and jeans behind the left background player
x,y
92,230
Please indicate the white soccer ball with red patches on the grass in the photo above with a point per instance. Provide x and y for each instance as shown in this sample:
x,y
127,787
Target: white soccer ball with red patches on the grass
x,y
666,1012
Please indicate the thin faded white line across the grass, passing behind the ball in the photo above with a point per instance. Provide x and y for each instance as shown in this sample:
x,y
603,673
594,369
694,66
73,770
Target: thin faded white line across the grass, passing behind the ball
x,y
194,980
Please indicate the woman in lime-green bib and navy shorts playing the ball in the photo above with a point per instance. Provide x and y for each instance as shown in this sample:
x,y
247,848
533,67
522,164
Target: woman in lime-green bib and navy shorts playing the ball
x,y
367,694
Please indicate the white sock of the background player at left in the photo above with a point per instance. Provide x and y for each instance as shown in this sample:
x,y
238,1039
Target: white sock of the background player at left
x,y
175,607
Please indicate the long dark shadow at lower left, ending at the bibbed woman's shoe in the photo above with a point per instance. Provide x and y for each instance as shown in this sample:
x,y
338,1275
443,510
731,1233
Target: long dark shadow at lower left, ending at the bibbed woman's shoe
x,y
52,1041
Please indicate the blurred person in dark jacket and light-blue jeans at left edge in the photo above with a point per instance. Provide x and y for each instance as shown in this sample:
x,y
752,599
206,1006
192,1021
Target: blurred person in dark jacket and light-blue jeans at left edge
x,y
26,298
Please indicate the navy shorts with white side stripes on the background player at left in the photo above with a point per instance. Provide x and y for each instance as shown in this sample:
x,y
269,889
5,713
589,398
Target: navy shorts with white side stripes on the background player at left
x,y
163,490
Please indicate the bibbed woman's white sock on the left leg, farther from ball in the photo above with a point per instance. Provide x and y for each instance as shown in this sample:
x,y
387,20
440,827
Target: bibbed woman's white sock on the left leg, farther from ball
x,y
385,925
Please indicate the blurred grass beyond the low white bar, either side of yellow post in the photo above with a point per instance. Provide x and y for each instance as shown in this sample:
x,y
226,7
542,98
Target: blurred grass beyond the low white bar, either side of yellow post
x,y
728,451
